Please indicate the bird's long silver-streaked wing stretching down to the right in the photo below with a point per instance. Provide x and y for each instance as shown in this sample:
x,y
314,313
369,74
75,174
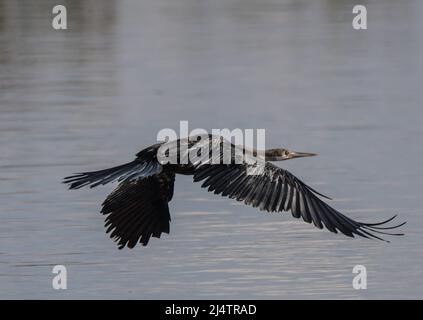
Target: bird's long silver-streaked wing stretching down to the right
x,y
276,189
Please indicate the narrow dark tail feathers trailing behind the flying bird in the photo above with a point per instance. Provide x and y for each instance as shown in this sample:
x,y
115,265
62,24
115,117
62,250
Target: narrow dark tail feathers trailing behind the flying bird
x,y
96,178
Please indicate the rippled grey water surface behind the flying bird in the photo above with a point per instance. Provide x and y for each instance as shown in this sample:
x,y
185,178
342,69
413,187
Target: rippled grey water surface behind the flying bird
x,y
91,96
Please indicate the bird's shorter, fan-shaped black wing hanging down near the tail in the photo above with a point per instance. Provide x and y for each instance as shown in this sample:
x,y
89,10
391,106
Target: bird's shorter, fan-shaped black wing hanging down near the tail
x,y
138,210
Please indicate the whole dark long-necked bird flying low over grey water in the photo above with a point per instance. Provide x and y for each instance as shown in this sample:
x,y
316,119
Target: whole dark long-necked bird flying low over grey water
x,y
138,208
